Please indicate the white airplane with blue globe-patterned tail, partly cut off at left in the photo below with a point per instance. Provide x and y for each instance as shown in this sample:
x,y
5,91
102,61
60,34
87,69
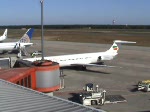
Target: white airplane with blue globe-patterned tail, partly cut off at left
x,y
19,45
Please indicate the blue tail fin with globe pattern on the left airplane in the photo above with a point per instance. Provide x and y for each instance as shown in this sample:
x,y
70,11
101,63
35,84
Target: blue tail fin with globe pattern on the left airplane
x,y
27,36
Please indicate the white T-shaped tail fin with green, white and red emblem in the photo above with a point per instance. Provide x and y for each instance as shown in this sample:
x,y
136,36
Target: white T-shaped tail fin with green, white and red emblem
x,y
114,48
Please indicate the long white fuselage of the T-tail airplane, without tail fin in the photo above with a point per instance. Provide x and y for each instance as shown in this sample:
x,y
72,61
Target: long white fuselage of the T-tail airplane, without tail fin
x,y
85,58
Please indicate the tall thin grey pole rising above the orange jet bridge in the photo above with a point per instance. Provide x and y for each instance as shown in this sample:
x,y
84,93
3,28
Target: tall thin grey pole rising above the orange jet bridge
x,y
42,38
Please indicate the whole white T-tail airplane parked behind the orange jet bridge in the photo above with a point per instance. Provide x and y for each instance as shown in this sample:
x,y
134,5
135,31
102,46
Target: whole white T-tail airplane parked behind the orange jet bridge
x,y
85,59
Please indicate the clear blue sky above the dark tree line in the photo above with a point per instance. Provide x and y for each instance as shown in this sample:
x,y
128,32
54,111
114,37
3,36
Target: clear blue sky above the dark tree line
x,y
72,12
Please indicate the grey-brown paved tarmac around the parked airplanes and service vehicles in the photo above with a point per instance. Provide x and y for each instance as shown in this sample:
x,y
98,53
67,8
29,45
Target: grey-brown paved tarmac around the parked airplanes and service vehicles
x,y
132,65
